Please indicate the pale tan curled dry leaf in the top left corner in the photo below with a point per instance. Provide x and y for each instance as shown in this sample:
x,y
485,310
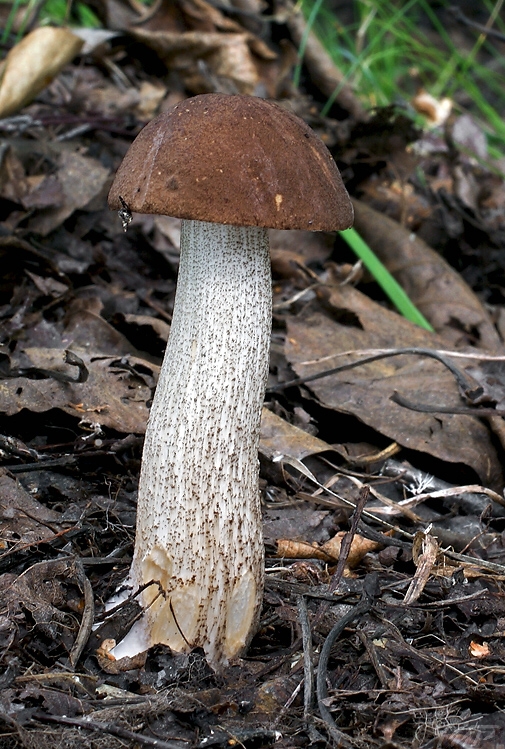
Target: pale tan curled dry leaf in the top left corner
x,y
32,64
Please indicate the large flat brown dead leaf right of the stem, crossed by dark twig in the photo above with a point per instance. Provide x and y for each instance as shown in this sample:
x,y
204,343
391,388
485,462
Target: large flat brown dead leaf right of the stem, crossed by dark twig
x,y
366,391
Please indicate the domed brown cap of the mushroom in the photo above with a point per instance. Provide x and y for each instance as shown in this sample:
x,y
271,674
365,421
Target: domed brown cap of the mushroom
x,y
235,160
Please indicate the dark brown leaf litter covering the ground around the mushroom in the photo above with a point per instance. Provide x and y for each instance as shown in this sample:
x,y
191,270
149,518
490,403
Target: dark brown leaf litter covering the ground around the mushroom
x,y
382,484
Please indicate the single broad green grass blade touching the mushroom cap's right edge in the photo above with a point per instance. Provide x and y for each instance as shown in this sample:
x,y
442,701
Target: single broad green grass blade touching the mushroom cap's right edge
x,y
391,288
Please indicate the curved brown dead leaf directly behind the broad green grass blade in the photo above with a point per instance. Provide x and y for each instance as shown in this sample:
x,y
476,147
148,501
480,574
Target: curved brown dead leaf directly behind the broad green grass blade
x,y
435,288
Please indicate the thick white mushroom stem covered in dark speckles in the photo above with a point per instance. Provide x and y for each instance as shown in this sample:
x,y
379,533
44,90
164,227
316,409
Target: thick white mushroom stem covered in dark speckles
x,y
198,518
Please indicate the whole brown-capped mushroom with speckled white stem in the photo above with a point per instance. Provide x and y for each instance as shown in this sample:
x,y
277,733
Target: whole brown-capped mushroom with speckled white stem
x,y
230,166
